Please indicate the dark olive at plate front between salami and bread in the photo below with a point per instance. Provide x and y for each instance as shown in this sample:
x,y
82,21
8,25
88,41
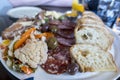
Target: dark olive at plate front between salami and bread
x,y
72,68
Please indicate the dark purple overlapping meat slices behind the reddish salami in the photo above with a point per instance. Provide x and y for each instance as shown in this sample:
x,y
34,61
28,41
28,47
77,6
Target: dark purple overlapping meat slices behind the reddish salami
x,y
65,33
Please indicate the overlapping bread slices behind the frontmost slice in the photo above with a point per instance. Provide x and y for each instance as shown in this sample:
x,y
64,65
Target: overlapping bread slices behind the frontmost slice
x,y
96,32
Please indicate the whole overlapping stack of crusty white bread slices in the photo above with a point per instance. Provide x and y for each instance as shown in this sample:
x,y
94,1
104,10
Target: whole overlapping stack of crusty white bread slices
x,y
93,40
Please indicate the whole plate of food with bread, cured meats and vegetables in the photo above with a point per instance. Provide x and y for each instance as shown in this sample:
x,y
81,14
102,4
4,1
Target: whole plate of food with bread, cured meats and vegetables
x,y
53,47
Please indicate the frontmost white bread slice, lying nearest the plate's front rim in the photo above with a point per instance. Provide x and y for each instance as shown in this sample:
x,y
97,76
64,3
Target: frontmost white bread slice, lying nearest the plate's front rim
x,y
91,58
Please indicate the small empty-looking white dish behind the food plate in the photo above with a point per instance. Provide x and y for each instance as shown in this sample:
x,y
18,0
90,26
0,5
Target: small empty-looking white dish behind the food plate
x,y
20,12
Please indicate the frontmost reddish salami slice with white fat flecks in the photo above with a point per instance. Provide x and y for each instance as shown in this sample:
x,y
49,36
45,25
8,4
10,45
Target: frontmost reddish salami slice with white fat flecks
x,y
54,66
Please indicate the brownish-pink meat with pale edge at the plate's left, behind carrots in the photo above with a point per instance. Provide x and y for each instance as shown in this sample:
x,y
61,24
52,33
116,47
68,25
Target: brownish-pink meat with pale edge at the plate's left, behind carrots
x,y
17,28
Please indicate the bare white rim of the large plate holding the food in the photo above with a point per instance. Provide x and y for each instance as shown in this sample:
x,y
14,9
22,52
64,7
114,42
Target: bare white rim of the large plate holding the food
x,y
40,74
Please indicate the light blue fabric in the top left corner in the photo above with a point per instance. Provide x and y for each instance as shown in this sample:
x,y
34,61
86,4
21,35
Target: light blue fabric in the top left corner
x,y
5,5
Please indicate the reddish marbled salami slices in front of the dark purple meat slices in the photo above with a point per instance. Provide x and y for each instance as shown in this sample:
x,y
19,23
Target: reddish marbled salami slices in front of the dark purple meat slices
x,y
58,60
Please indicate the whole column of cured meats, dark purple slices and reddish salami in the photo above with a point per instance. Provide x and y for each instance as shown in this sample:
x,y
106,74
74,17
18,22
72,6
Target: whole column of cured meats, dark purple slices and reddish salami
x,y
59,58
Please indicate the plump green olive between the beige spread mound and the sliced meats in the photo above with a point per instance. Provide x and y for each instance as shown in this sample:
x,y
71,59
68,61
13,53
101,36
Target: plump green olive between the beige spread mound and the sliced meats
x,y
52,43
